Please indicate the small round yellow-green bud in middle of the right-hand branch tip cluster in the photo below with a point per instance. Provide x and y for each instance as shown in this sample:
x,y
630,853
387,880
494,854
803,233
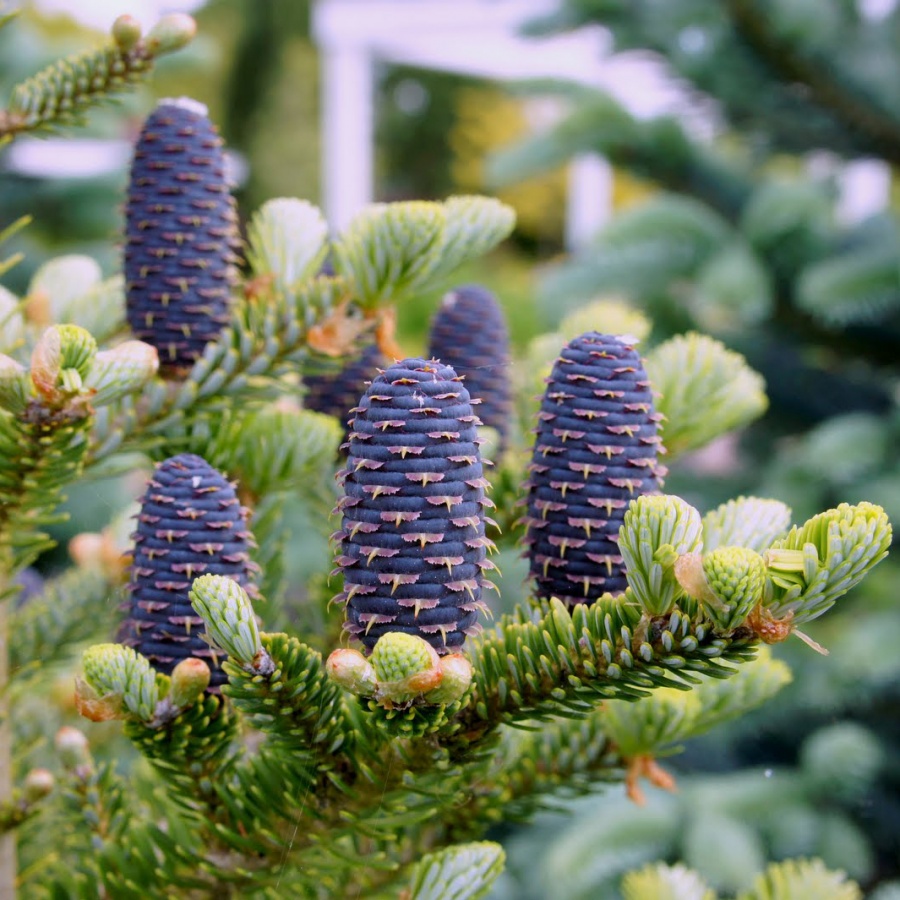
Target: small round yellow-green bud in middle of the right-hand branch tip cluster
x,y
736,576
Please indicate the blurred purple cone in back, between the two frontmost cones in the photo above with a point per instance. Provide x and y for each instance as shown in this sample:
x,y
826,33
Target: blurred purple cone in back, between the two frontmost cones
x,y
469,333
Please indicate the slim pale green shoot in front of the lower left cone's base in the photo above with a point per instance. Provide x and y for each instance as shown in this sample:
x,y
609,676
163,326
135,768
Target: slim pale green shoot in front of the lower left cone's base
x,y
228,613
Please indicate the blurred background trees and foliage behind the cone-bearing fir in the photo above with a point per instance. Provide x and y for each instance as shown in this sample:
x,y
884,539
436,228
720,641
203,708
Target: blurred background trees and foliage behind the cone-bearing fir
x,y
740,238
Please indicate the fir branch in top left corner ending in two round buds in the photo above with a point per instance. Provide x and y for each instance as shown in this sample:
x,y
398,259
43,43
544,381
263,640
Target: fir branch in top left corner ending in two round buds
x,y
65,90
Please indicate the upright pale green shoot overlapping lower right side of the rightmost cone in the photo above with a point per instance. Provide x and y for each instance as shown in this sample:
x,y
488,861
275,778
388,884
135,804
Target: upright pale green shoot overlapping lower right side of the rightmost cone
x,y
656,530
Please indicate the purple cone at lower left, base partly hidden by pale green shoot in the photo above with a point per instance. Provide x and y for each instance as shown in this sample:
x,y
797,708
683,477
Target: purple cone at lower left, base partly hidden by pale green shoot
x,y
191,523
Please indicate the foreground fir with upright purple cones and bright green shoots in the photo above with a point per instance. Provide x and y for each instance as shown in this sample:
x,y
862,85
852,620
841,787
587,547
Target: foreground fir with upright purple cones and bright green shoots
x,y
248,762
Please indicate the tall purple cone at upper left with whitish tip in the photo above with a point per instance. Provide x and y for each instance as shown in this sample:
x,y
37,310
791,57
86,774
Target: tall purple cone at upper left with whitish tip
x,y
180,234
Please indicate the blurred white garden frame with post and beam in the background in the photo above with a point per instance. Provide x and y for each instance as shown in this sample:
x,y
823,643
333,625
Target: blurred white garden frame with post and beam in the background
x,y
482,38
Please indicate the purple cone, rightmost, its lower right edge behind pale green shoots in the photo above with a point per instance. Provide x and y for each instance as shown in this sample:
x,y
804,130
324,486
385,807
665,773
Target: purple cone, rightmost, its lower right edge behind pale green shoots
x,y
596,449
